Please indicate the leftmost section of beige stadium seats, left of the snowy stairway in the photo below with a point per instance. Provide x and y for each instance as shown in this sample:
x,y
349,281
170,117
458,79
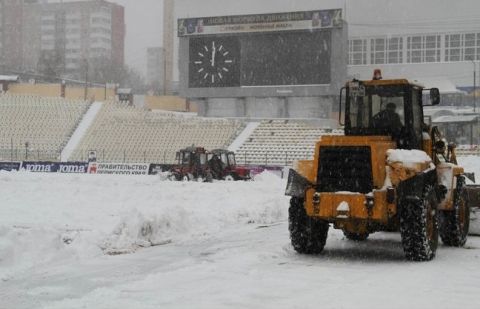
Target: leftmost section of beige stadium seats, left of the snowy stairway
x,y
36,128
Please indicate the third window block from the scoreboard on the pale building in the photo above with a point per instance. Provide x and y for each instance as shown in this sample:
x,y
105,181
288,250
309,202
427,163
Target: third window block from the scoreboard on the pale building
x,y
422,49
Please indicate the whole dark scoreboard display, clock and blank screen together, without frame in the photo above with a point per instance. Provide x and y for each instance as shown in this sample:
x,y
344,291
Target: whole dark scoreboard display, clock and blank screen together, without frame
x,y
261,59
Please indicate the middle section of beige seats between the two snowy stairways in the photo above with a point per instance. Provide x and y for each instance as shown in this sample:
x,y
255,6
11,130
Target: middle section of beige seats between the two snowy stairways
x,y
122,133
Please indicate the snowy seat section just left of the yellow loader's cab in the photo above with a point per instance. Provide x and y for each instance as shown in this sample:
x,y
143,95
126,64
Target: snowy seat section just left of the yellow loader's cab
x,y
280,142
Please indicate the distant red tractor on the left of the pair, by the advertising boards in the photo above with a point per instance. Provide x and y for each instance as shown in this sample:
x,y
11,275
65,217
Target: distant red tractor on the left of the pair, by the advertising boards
x,y
191,165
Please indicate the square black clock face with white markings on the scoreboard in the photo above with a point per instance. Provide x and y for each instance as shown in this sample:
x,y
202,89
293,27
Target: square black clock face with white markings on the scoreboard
x,y
214,62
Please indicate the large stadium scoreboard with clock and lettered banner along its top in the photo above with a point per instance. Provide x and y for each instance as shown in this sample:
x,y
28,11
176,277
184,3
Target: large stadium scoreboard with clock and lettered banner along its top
x,y
247,54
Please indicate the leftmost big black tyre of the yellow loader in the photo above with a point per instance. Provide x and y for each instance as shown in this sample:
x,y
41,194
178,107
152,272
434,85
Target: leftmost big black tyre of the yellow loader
x,y
308,235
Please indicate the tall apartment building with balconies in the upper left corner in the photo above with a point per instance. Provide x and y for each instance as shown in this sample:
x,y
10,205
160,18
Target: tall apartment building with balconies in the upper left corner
x,y
61,37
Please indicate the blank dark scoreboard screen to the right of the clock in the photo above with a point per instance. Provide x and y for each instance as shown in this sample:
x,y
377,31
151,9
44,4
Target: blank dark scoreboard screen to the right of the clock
x,y
286,59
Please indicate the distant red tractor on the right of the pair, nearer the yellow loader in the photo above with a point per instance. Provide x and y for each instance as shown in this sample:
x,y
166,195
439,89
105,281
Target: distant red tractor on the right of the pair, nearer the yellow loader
x,y
224,167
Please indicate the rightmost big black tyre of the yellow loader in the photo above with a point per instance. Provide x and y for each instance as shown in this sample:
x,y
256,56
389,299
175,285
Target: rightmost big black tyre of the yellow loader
x,y
454,223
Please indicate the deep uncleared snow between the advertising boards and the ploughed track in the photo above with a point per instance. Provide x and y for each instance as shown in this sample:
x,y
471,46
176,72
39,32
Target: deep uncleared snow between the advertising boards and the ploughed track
x,y
45,217
